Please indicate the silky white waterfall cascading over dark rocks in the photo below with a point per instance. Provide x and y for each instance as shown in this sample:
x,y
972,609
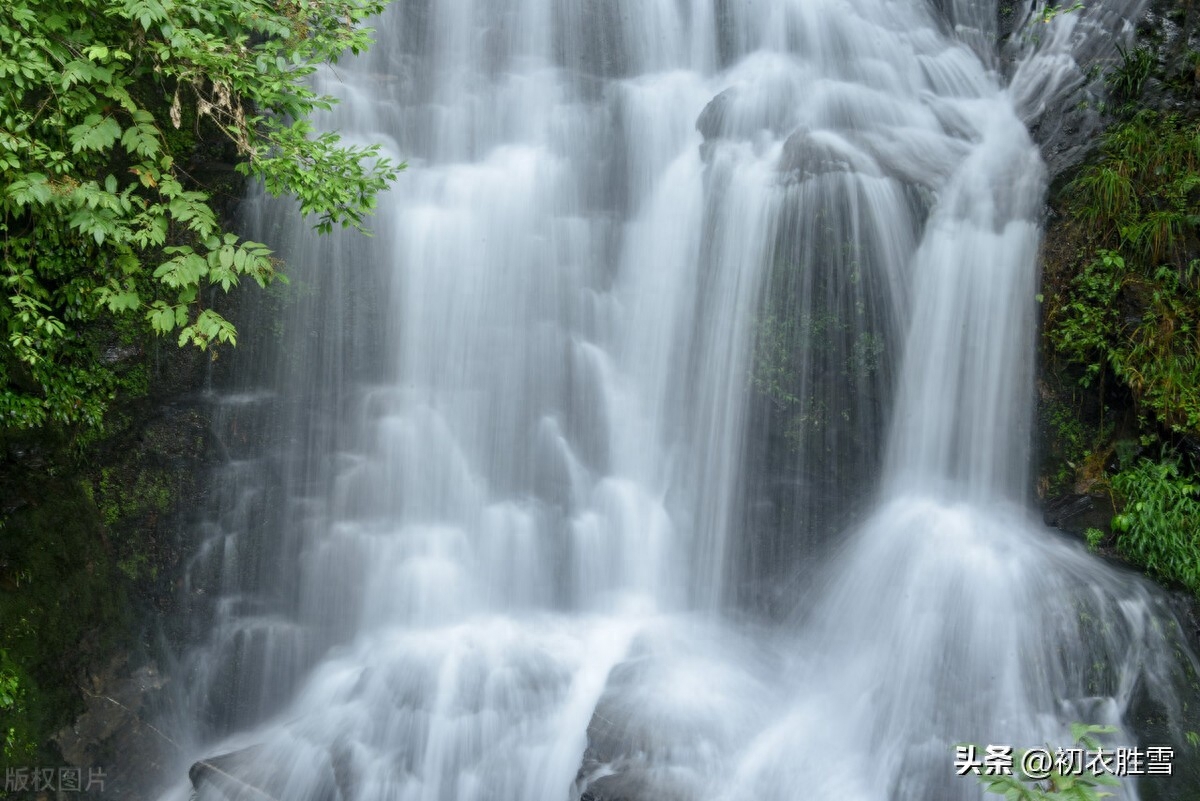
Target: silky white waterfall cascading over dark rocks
x,y
484,529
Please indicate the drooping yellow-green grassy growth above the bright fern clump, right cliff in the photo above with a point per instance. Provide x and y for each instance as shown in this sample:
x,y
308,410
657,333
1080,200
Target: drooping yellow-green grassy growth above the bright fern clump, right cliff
x,y
1132,309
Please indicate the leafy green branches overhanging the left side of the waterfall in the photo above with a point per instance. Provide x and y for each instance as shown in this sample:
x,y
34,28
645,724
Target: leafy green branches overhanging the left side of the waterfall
x,y
101,106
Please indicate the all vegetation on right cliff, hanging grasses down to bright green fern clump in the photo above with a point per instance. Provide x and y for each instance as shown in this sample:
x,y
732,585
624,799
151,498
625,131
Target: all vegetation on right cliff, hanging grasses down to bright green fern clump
x,y
1123,320
